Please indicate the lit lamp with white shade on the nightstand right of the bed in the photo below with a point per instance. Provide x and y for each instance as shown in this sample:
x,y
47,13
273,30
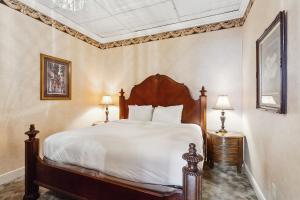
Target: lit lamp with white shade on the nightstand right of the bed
x,y
223,104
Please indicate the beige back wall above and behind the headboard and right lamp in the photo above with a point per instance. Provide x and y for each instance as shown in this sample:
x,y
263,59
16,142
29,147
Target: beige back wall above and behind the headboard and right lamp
x,y
210,59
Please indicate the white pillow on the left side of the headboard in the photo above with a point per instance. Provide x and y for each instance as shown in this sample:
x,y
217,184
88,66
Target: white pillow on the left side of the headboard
x,y
140,113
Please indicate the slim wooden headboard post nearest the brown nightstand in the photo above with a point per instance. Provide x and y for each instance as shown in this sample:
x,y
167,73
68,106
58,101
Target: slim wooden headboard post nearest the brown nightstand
x,y
203,108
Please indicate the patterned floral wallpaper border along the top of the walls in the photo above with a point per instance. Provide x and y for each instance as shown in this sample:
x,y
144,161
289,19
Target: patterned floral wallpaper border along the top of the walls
x,y
17,5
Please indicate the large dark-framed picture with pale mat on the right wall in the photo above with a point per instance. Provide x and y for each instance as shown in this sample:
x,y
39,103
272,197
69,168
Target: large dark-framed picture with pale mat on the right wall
x,y
271,57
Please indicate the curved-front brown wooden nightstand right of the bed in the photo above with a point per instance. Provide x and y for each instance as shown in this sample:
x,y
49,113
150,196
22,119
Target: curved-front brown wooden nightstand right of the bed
x,y
227,149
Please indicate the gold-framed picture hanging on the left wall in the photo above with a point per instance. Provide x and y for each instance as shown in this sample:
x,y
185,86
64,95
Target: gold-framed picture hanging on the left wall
x,y
55,78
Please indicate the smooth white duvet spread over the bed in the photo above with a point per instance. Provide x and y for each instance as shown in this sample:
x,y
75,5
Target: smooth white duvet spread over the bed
x,y
145,152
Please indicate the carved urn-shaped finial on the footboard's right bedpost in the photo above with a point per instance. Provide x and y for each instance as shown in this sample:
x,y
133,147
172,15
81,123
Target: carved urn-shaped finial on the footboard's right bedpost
x,y
192,159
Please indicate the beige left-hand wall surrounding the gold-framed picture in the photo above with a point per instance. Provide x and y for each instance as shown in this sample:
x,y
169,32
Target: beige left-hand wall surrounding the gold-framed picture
x,y
22,41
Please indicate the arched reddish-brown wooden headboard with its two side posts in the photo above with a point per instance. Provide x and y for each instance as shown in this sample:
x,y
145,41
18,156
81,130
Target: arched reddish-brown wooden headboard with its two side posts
x,y
161,90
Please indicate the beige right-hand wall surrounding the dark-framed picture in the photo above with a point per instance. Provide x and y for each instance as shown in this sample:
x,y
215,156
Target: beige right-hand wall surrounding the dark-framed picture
x,y
273,153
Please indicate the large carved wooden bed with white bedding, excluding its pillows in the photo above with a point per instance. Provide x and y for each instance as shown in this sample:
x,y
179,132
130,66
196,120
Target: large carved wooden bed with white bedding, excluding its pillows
x,y
119,160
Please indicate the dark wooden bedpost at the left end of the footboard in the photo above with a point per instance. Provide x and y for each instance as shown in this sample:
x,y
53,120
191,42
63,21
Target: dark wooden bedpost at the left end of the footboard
x,y
31,154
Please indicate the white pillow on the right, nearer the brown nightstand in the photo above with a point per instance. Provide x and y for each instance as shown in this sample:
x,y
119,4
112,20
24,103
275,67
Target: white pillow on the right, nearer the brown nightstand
x,y
170,114
